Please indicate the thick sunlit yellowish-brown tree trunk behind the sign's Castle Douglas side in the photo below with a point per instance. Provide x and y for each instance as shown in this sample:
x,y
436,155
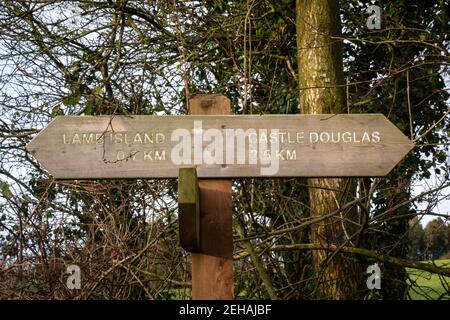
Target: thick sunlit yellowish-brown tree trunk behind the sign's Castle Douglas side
x,y
320,80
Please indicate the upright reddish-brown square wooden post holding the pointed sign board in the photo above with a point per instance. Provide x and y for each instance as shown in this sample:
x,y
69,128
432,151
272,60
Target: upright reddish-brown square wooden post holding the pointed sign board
x,y
212,266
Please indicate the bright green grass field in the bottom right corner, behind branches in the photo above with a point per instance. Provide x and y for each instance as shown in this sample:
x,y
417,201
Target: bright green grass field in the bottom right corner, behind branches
x,y
425,286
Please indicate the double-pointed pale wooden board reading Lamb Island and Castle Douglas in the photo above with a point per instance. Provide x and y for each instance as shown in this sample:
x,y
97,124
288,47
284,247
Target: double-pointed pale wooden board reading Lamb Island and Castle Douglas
x,y
66,148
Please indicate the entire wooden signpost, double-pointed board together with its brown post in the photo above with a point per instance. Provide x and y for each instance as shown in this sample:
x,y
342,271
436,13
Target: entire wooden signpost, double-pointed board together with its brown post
x,y
216,146
